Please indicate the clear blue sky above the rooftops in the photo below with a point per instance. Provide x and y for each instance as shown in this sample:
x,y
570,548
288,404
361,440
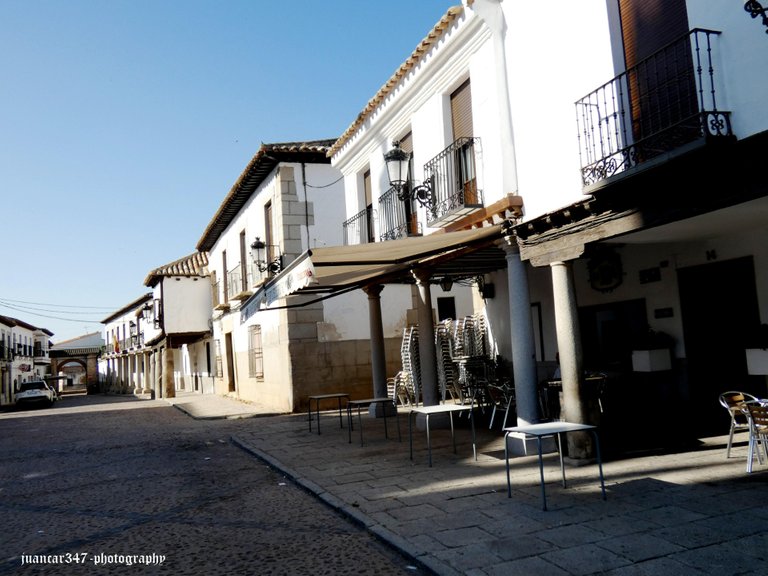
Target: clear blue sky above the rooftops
x,y
124,123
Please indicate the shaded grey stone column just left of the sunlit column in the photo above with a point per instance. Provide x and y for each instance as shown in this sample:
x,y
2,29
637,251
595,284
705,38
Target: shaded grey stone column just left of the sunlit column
x,y
523,348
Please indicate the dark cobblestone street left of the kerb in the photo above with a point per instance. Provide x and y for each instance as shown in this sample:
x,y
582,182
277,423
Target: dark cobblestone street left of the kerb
x,y
127,482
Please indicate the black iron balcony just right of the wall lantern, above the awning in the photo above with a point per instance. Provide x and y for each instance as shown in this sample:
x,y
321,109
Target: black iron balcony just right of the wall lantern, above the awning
x,y
452,179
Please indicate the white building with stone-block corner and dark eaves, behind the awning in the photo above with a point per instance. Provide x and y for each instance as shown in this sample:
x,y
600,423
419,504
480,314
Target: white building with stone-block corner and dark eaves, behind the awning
x,y
287,202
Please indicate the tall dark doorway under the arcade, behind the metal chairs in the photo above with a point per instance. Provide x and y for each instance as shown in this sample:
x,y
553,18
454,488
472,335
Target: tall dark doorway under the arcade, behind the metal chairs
x,y
719,310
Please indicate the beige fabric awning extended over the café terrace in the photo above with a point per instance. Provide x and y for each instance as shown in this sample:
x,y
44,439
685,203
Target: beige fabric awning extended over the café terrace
x,y
337,269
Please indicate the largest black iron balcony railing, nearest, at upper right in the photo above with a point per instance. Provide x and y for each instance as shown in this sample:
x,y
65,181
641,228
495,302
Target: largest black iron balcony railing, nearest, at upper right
x,y
663,106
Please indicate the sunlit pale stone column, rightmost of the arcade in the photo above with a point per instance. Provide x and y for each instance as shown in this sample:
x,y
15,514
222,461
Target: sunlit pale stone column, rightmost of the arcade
x,y
569,348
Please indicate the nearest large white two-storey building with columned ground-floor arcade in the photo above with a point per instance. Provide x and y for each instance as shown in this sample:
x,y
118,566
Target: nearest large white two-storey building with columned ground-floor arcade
x,y
615,146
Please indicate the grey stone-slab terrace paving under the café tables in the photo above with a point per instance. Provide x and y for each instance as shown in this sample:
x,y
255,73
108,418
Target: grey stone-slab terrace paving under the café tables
x,y
692,512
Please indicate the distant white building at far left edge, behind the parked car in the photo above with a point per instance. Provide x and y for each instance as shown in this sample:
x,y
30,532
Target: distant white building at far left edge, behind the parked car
x,y
24,355
